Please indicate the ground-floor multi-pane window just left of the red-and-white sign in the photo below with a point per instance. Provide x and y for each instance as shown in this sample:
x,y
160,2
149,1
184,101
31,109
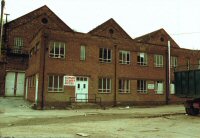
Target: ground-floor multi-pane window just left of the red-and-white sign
x,y
55,83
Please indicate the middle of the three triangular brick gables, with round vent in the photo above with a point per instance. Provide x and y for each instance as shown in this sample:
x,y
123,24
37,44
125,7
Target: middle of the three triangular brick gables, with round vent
x,y
110,29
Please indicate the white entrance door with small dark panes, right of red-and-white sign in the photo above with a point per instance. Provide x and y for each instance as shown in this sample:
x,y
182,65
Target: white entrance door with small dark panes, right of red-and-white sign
x,y
81,89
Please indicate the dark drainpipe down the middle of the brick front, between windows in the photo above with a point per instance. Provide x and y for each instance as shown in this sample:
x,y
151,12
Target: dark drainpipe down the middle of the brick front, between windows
x,y
115,77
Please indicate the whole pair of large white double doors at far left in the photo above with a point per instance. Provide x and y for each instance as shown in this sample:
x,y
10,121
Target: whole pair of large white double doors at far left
x,y
14,84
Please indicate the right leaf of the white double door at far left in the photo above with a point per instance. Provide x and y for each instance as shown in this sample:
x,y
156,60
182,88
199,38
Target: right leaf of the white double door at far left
x,y
20,84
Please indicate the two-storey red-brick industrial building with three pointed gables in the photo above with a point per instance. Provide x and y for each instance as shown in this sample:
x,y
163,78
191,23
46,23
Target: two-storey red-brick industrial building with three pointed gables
x,y
108,65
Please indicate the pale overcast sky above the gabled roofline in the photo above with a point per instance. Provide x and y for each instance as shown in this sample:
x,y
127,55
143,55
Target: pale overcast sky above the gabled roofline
x,y
180,18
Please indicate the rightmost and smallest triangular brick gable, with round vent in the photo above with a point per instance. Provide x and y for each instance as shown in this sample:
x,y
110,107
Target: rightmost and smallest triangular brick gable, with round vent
x,y
158,37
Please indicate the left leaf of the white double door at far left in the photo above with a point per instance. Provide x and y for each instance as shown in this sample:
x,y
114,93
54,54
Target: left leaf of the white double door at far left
x,y
10,84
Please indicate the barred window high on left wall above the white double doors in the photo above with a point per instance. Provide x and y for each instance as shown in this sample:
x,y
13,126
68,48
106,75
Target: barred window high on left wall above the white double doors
x,y
18,44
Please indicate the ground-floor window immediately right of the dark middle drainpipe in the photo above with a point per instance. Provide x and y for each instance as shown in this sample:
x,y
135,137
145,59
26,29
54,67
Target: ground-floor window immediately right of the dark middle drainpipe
x,y
124,86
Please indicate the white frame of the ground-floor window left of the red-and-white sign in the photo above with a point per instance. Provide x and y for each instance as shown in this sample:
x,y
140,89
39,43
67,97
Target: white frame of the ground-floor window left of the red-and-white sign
x,y
53,89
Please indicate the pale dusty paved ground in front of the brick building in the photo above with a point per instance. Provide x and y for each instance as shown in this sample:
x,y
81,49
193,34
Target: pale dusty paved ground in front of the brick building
x,y
17,120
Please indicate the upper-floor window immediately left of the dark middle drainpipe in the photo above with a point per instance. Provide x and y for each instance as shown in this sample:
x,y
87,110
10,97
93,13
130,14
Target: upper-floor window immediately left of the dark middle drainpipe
x,y
105,55
